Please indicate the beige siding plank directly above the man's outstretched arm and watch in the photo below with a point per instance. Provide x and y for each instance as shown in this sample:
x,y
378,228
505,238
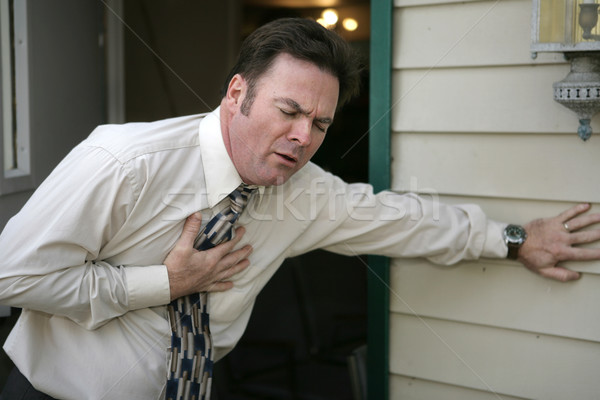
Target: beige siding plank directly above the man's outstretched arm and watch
x,y
545,167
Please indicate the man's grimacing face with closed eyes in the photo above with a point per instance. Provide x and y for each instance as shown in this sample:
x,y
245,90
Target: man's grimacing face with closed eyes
x,y
294,105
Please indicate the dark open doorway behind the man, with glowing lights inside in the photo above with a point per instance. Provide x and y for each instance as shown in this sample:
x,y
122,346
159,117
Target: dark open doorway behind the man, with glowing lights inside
x,y
312,315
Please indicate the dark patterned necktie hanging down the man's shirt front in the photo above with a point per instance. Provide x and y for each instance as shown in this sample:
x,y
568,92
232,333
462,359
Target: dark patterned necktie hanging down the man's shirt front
x,y
191,361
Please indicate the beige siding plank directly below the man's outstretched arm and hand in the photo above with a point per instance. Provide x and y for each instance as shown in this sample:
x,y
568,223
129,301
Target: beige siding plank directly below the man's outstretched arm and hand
x,y
499,295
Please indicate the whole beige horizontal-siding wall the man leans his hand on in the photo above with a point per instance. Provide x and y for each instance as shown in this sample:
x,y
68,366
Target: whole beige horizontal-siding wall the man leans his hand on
x,y
474,121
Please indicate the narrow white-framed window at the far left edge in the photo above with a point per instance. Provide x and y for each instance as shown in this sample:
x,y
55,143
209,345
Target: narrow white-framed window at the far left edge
x,y
15,97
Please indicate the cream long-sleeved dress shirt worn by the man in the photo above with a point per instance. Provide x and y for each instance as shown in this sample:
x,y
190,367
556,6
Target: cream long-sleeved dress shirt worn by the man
x,y
83,258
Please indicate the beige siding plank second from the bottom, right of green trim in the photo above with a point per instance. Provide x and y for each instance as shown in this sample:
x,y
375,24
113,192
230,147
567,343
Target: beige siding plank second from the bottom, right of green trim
x,y
494,360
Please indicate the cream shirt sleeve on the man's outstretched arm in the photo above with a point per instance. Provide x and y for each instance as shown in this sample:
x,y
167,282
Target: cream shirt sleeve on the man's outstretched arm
x,y
352,220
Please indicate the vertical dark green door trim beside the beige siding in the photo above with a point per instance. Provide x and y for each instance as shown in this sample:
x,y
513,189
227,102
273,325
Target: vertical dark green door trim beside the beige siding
x,y
380,178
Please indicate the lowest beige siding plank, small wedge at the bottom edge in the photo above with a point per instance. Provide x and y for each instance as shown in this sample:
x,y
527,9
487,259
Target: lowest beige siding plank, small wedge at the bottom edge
x,y
407,388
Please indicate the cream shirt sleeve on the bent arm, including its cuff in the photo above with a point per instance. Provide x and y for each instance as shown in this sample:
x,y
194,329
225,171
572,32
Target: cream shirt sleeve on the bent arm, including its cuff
x,y
48,251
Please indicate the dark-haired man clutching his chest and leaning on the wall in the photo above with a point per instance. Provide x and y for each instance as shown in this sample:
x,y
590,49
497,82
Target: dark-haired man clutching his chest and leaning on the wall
x,y
104,244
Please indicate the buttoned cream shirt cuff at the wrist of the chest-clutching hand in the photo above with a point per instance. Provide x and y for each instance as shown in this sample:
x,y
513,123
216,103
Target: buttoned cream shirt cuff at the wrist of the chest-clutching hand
x,y
147,286
